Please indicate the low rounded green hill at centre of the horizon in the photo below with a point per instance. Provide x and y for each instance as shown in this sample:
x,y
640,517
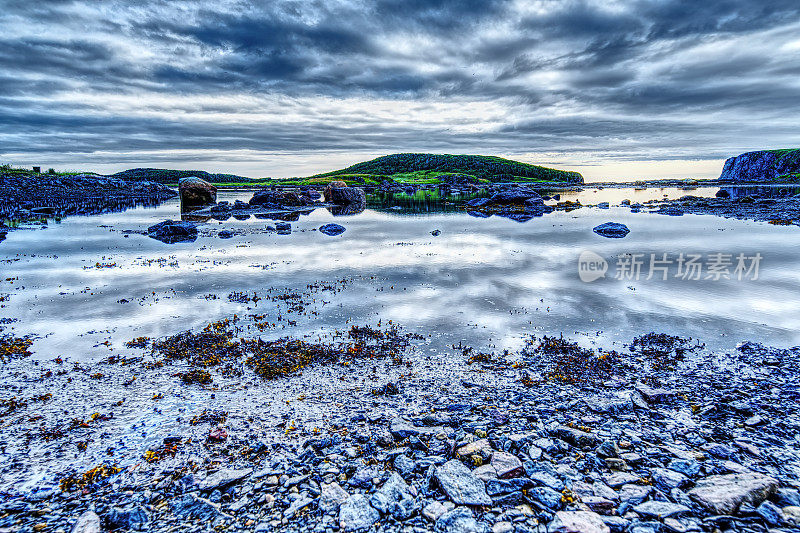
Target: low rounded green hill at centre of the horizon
x,y
425,167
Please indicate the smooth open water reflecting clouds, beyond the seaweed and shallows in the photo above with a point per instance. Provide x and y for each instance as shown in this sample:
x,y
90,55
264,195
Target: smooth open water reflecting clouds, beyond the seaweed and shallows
x,y
87,281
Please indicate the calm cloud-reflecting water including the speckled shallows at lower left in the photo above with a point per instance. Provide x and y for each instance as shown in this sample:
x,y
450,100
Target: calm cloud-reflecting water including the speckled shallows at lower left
x,y
85,286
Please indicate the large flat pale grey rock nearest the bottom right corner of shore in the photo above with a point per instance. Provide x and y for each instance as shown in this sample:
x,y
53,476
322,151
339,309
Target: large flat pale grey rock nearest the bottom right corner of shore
x,y
724,494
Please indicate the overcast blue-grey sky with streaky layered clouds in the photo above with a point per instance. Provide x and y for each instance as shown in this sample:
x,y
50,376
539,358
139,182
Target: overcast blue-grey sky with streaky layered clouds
x,y
613,89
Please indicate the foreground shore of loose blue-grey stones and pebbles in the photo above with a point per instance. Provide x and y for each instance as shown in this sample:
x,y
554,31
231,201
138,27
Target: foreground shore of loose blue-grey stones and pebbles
x,y
657,437
